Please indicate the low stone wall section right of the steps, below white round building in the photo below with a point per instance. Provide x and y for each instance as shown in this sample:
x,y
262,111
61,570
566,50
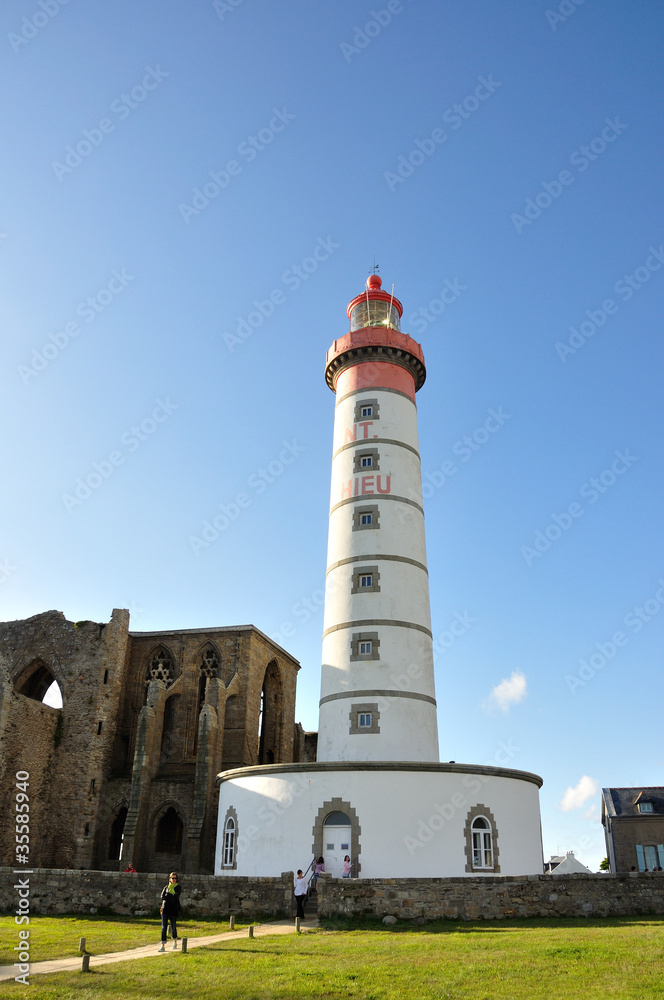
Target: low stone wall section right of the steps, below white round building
x,y
494,897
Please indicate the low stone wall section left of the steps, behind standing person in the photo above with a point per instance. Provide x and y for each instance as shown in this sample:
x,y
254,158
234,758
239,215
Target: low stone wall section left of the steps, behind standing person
x,y
53,891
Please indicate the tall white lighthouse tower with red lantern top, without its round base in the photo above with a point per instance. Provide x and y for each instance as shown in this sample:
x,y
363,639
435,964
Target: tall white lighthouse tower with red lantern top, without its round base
x,y
377,684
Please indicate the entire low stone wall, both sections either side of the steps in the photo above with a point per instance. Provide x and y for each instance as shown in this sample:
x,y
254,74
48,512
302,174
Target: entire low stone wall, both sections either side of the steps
x,y
53,891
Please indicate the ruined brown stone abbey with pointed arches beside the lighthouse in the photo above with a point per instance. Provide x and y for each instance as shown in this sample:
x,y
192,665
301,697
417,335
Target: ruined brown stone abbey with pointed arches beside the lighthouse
x,y
124,773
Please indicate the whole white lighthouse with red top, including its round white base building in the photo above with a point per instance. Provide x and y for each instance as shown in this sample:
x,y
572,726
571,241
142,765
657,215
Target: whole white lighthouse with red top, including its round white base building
x,y
376,791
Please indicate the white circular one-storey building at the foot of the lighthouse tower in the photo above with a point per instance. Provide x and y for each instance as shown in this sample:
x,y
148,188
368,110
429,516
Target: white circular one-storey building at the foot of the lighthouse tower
x,y
392,819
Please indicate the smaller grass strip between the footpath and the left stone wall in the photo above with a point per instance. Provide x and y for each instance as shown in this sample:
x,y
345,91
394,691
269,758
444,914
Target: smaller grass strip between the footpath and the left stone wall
x,y
58,937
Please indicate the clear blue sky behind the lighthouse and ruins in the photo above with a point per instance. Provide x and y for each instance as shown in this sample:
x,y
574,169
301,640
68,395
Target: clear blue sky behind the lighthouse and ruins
x,y
502,164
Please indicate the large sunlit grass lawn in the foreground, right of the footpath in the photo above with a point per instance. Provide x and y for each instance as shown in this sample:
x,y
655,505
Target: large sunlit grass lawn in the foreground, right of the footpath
x,y
497,960
